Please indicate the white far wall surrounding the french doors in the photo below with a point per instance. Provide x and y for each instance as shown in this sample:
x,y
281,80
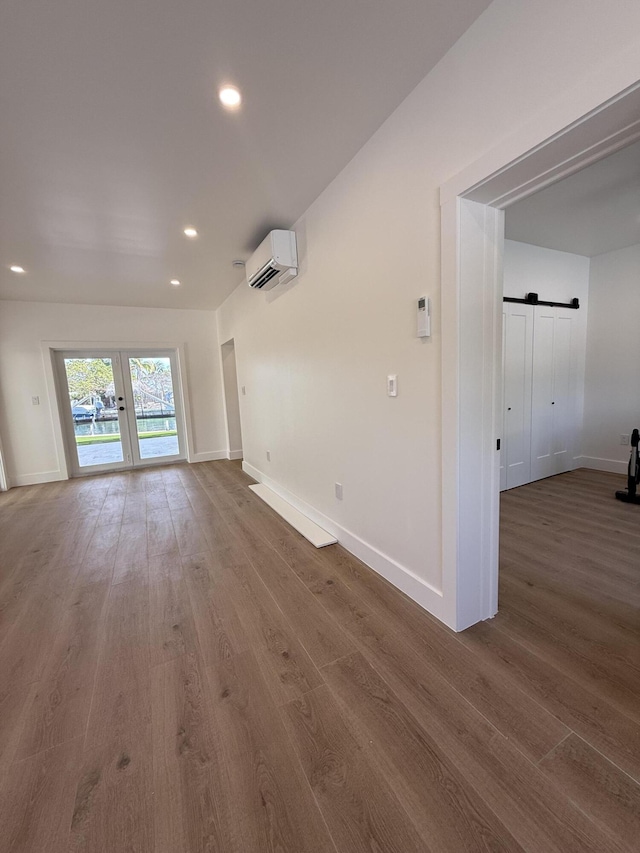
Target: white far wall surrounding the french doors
x,y
27,431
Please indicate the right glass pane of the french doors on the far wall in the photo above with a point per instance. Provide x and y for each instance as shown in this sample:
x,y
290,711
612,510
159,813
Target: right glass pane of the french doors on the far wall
x,y
155,407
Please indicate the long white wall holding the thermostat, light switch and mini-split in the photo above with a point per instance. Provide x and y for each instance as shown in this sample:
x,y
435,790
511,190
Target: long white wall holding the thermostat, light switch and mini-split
x,y
314,355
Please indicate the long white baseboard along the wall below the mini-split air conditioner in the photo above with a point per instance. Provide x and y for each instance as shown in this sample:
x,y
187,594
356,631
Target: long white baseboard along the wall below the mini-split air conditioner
x,y
400,576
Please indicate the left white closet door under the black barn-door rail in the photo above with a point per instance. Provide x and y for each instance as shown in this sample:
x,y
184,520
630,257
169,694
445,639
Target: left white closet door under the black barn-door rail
x,y
517,360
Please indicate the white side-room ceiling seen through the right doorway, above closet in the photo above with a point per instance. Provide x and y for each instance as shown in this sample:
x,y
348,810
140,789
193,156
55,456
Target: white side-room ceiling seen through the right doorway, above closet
x,y
594,211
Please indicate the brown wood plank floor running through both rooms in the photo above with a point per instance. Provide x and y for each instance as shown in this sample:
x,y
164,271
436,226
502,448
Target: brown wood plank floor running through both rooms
x,y
181,672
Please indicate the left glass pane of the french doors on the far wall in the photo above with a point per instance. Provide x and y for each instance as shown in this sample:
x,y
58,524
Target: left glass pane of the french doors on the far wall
x,y
94,411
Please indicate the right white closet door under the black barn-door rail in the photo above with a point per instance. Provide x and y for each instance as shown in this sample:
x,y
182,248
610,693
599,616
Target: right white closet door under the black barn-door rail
x,y
552,394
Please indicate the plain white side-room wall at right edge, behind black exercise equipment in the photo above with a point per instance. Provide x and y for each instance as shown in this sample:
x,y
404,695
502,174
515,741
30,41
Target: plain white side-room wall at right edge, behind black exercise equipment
x,y
612,388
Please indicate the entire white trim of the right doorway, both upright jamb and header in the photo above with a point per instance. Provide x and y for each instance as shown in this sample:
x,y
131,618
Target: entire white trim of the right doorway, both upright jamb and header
x,y
472,233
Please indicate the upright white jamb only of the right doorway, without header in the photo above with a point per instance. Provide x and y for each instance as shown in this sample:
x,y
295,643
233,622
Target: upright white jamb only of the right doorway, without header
x,y
472,248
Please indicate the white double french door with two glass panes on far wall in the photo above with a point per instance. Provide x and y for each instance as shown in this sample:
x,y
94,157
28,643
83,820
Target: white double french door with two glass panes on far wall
x,y
120,409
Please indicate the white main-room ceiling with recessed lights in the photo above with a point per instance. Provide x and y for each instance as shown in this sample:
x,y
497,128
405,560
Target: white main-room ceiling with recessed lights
x,y
112,138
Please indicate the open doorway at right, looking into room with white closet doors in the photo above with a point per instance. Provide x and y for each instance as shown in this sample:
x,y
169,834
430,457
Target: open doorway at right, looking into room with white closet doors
x,y
568,561
